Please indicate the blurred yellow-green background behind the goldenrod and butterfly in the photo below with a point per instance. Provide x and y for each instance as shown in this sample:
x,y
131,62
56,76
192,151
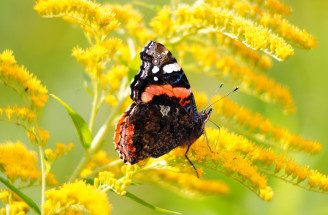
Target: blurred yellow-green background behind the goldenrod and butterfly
x,y
44,47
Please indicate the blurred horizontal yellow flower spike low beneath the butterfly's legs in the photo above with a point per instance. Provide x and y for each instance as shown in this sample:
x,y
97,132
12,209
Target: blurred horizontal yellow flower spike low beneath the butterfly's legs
x,y
183,183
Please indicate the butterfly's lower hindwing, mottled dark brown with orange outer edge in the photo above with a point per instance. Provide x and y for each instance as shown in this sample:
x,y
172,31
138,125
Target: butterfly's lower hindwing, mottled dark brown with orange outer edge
x,y
151,130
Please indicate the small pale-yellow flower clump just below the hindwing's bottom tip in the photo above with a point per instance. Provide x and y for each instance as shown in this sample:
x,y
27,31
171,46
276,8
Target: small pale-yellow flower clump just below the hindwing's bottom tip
x,y
107,181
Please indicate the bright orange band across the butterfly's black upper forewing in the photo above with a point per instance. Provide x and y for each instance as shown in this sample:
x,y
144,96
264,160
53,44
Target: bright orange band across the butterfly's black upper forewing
x,y
156,90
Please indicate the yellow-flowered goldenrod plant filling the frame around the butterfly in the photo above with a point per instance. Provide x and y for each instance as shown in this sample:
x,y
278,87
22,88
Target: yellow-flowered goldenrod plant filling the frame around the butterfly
x,y
234,42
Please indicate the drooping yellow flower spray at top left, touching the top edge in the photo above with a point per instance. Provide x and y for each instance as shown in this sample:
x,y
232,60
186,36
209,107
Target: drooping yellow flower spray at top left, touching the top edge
x,y
94,19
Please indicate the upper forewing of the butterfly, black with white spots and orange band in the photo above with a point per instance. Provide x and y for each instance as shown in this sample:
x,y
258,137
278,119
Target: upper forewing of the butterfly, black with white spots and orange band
x,y
161,80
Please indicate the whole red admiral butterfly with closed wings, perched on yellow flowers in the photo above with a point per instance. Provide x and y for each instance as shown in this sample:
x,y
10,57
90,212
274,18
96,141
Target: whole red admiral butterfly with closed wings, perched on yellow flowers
x,y
163,115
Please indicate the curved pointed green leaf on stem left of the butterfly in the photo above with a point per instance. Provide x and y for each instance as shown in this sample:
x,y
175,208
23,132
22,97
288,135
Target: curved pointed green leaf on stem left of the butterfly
x,y
81,126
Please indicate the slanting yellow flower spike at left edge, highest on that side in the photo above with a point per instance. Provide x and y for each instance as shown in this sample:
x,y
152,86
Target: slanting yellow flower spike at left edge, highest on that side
x,y
22,81
